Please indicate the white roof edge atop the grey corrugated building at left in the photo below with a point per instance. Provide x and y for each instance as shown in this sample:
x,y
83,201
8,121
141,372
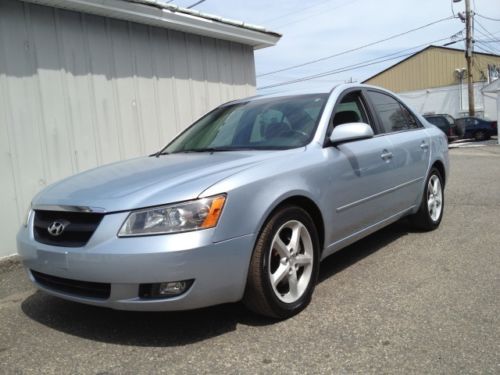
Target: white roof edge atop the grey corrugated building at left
x,y
159,13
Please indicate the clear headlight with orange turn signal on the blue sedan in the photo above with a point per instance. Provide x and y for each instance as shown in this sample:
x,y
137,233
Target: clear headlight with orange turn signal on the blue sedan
x,y
181,217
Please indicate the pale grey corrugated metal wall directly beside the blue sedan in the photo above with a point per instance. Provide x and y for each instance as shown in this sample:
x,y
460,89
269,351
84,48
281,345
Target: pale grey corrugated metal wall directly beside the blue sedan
x,y
77,91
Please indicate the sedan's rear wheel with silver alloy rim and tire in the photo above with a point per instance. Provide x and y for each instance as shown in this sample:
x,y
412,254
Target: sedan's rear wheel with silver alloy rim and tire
x,y
431,209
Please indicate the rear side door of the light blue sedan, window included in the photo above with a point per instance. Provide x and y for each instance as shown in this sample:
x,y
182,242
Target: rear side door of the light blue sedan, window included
x,y
410,149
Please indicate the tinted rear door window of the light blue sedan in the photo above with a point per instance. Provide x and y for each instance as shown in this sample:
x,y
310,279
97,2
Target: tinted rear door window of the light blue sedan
x,y
390,112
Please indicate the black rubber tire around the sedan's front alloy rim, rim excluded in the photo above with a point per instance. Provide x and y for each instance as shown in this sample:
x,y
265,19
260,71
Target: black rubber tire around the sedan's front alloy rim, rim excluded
x,y
260,296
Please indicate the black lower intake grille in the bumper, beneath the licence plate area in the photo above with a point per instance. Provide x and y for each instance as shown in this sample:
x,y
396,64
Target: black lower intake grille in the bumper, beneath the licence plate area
x,y
75,287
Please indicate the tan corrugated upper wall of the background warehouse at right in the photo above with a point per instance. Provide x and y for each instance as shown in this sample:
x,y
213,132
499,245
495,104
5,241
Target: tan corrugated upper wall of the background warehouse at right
x,y
434,67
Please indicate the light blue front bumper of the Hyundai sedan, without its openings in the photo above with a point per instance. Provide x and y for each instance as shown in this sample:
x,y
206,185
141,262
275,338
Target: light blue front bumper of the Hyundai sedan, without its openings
x,y
219,270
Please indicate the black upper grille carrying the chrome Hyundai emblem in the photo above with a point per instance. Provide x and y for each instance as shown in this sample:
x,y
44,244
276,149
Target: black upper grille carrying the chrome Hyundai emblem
x,y
78,227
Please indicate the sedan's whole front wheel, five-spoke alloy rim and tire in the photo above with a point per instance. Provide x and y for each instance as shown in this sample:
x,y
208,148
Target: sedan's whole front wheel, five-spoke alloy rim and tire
x,y
284,266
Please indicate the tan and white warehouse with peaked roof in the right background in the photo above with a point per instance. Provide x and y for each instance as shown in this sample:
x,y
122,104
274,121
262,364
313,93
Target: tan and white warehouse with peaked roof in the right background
x,y
434,80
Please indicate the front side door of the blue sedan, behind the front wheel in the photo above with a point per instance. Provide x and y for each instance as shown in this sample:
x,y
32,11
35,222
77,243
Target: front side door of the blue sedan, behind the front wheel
x,y
358,174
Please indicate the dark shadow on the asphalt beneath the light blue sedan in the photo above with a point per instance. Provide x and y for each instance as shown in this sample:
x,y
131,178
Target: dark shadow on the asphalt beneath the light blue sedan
x,y
162,329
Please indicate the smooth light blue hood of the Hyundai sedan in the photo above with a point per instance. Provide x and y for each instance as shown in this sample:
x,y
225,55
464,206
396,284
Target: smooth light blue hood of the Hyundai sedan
x,y
150,181
